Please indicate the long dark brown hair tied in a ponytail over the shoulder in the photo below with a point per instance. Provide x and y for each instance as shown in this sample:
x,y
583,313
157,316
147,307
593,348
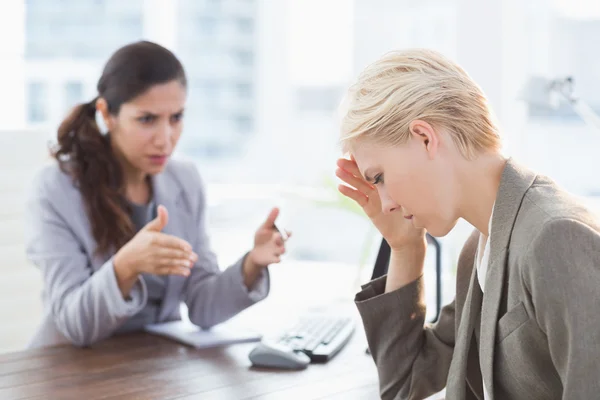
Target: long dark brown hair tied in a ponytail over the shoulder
x,y
86,154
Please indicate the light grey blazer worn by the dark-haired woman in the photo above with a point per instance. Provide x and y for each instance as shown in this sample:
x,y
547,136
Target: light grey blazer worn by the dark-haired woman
x,y
82,302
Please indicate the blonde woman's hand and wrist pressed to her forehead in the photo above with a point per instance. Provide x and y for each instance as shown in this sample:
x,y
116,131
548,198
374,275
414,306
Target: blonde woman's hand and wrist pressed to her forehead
x,y
397,230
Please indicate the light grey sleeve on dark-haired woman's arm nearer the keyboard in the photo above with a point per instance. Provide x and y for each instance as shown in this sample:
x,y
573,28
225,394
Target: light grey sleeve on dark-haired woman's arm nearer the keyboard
x,y
211,295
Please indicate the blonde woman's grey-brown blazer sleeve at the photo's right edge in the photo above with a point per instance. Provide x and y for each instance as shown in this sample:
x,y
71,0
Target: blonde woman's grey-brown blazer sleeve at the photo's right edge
x,y
564,280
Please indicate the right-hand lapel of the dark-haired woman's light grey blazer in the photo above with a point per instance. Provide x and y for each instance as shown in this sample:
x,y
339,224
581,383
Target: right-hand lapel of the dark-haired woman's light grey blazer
x,y
168,192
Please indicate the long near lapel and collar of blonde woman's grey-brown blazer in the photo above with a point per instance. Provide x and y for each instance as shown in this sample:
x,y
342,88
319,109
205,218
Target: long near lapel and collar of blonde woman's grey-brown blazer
x,y
514,184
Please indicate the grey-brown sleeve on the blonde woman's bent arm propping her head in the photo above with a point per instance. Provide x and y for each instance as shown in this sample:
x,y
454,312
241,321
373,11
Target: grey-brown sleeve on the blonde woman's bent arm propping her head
x,y
412,360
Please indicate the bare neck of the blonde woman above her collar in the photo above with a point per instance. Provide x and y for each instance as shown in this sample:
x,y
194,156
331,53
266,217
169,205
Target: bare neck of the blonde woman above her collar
x,y
480,183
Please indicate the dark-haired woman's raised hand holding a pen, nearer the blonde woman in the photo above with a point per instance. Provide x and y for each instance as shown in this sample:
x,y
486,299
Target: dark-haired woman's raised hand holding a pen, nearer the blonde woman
x,y
269,246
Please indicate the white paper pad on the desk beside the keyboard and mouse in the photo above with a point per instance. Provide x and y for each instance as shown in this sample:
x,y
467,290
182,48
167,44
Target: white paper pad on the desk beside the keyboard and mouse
x,y
188,333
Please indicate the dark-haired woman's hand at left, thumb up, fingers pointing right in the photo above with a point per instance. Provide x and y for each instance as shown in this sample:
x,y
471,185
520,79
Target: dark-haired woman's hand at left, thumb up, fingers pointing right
x,y
153,252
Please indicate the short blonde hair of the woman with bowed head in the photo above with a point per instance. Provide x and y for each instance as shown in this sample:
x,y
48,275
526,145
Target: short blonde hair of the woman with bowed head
x,y
404,86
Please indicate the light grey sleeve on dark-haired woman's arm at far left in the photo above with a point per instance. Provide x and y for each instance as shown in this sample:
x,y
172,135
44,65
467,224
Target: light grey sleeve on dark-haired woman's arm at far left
x,y
86,305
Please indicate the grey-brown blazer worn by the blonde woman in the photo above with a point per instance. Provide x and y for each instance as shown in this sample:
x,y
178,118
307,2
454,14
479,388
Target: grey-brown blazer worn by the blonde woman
x,y
534,334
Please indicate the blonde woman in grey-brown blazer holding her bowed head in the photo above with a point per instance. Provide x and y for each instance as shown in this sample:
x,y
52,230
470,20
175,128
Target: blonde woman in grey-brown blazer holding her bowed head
x,y
425,151
